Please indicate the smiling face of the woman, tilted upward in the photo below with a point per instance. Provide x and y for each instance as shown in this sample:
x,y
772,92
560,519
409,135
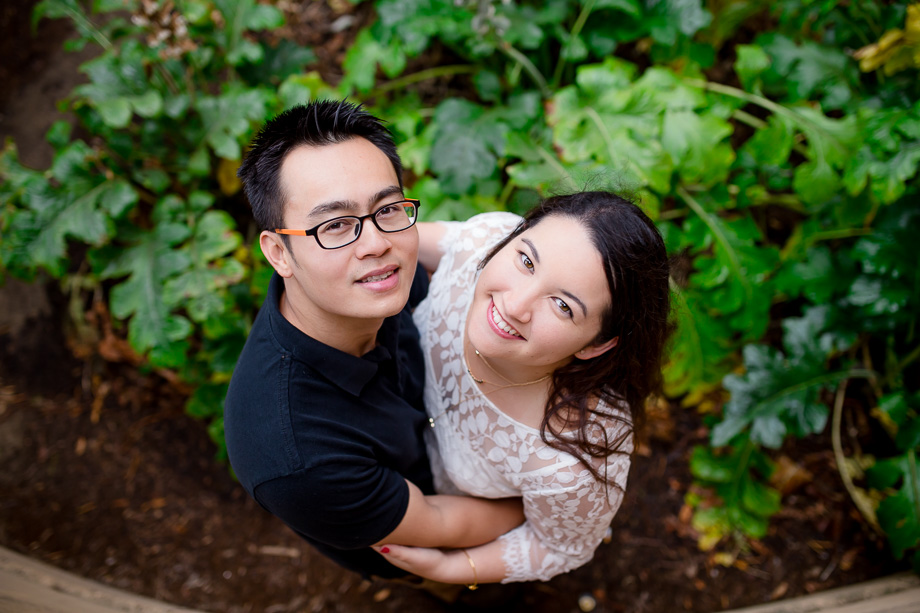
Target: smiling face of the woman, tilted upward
x,y
540,300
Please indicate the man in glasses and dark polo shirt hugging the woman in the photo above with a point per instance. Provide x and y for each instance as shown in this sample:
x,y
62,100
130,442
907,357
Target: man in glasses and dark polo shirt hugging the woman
x,y
323,416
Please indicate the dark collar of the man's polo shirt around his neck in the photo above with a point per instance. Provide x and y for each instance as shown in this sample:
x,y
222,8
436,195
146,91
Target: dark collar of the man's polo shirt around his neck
x,y
346,371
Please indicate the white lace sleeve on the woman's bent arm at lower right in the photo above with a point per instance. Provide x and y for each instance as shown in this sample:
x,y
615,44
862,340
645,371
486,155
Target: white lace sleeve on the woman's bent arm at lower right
x,y
567,513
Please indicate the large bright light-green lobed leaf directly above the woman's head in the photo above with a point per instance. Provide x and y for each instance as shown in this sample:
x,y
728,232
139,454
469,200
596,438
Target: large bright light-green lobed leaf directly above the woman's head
x,y
646,128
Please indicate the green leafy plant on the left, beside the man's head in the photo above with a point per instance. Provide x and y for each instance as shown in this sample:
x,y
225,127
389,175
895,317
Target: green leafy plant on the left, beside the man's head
x,y
172,97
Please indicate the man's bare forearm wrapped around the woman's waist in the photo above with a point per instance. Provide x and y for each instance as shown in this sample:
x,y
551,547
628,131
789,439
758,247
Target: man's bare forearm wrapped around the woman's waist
x,y
454,521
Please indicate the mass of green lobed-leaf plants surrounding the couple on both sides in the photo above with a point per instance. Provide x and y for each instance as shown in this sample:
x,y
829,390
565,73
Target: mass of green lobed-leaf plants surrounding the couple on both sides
x,y
780,175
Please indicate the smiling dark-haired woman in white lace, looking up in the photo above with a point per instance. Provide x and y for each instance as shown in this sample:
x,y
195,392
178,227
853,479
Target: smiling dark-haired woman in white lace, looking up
x,y
564,322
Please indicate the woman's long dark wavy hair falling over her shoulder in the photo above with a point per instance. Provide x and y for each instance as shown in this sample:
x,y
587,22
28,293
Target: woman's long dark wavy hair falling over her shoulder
x,y
637,271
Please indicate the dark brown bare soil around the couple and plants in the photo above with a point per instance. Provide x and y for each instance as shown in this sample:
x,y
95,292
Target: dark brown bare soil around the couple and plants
x,y
102,474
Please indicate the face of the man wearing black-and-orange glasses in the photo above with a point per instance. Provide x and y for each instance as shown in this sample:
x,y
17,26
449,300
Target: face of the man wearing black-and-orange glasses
x,y
334,290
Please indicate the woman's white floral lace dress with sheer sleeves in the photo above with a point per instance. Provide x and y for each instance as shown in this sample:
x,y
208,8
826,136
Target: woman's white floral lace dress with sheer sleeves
x,y
477,450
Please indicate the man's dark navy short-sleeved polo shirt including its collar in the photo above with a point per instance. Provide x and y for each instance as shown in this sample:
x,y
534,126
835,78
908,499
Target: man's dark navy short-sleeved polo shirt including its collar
x,y
323,439
